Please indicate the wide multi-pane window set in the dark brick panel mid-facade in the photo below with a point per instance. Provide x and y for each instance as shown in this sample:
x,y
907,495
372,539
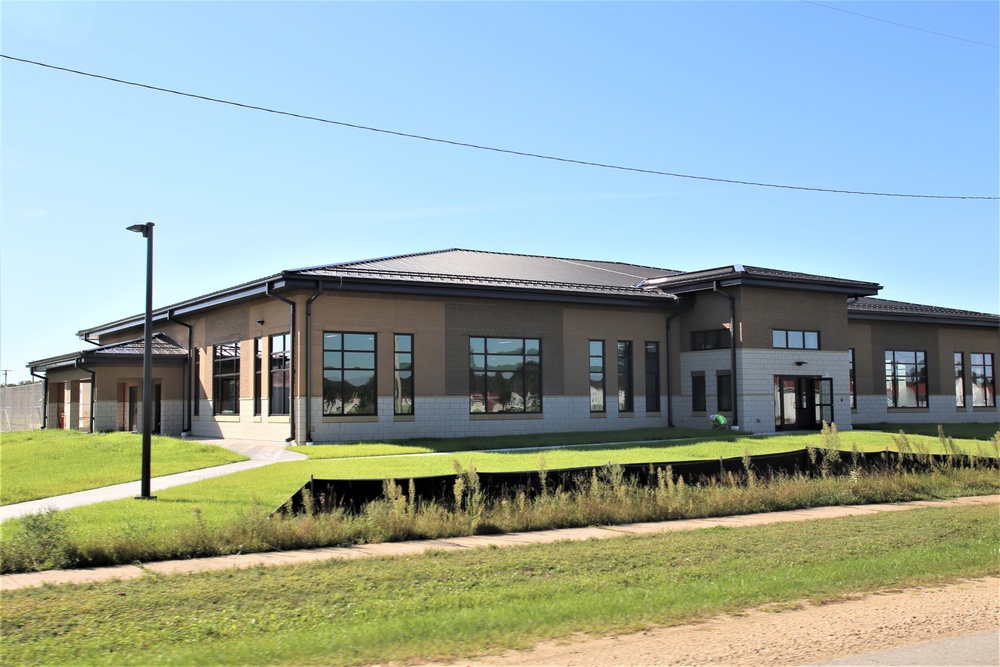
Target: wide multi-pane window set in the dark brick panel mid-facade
x,y
505,375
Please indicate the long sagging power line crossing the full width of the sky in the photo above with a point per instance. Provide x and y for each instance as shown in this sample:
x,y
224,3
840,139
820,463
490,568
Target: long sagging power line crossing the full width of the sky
x,y
482,148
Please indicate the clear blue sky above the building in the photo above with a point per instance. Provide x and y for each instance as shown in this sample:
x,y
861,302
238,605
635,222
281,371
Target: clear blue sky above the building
x,y
789,93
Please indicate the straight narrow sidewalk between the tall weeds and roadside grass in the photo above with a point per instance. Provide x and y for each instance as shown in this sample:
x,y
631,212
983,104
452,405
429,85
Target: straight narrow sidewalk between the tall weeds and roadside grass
x,y
274,559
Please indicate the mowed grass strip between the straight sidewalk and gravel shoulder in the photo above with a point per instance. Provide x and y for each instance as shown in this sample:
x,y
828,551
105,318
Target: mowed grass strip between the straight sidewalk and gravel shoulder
x,y
451,605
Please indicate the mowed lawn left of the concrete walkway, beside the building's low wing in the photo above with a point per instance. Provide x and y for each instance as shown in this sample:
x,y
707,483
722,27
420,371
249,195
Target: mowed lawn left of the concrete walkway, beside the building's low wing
x,y
44,463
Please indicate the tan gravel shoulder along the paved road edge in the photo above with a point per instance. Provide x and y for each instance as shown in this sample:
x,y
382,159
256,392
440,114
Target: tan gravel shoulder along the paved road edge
x,y
801,634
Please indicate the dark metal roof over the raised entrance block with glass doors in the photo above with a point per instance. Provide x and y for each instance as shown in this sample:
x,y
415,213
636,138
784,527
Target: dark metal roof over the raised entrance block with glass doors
x,y
739,274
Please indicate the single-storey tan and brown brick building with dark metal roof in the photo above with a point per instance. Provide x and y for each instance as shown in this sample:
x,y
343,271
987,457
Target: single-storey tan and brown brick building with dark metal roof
x,y
460,342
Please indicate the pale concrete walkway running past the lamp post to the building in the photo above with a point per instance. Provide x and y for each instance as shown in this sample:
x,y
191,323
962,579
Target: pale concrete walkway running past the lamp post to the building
x,y
259,454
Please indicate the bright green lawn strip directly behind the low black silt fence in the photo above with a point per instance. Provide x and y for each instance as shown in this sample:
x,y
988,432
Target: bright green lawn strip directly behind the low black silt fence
x,y
219,500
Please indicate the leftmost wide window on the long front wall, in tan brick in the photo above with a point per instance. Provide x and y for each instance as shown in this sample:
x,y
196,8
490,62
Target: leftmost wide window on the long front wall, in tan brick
x,y
348,374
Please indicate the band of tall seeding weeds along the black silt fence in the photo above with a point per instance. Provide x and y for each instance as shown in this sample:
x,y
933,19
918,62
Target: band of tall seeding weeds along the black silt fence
x,y
606,496
